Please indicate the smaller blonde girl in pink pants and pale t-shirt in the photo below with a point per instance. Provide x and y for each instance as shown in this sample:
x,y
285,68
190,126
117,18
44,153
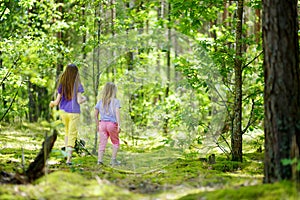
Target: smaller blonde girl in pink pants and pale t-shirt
x,y
109,124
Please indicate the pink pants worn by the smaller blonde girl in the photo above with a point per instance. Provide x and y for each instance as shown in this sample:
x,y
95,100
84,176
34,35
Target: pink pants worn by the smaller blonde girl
x,y
106,130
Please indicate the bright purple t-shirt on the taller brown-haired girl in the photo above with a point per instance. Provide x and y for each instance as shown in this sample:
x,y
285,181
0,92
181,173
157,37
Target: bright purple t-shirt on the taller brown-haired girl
x,y
70,106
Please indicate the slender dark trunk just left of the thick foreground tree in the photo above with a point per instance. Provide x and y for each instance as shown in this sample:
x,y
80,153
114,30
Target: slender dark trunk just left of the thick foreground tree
x,y
236,138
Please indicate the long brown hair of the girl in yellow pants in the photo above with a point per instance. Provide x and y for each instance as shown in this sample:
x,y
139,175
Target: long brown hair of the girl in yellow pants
x,y
69,80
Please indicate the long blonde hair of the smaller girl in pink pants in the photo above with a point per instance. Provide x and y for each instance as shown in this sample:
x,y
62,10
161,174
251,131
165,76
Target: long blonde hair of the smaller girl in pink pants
x,y
108,94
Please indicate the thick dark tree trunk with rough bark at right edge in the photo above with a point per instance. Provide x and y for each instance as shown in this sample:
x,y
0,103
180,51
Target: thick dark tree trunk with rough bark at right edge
x,y
282,87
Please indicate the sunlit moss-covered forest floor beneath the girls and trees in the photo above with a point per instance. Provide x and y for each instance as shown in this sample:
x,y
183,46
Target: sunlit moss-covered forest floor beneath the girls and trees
x,y
145,173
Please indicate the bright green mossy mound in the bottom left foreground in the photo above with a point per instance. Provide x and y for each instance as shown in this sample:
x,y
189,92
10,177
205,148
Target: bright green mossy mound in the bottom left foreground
x,y
65,185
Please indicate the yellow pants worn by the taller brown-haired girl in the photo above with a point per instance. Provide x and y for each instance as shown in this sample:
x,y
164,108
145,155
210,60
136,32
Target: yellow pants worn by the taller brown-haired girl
x,y
71,122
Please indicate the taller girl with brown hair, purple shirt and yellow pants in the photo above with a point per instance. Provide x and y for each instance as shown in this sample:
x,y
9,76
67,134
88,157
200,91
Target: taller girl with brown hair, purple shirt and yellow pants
x,y
69,99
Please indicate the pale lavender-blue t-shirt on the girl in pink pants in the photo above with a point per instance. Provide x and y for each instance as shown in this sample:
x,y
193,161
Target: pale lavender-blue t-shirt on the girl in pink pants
x,y
109,115
